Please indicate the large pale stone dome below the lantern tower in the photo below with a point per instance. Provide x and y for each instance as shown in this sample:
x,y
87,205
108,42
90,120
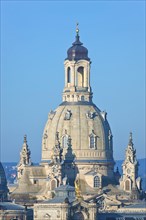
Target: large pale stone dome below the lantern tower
x,y
84,123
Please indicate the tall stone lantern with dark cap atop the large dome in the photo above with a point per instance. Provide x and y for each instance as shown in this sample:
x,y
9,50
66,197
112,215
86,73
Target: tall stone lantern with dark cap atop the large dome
x,y
77,73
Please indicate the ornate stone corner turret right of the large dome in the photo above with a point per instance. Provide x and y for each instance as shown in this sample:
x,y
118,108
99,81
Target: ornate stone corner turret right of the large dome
x,y
130,182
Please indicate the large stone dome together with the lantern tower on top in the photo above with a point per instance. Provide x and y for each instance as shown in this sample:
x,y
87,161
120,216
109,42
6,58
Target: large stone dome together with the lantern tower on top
x,y
78,120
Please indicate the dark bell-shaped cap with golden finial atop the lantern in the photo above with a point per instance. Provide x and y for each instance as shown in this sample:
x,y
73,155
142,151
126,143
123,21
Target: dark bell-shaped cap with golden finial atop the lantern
x,y
77,51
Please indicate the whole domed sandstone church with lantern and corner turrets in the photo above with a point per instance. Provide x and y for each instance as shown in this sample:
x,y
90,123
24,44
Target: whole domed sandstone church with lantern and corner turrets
x,y
75,178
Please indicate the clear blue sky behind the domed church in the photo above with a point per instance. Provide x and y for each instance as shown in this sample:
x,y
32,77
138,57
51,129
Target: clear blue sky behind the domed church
x,y
35,36
